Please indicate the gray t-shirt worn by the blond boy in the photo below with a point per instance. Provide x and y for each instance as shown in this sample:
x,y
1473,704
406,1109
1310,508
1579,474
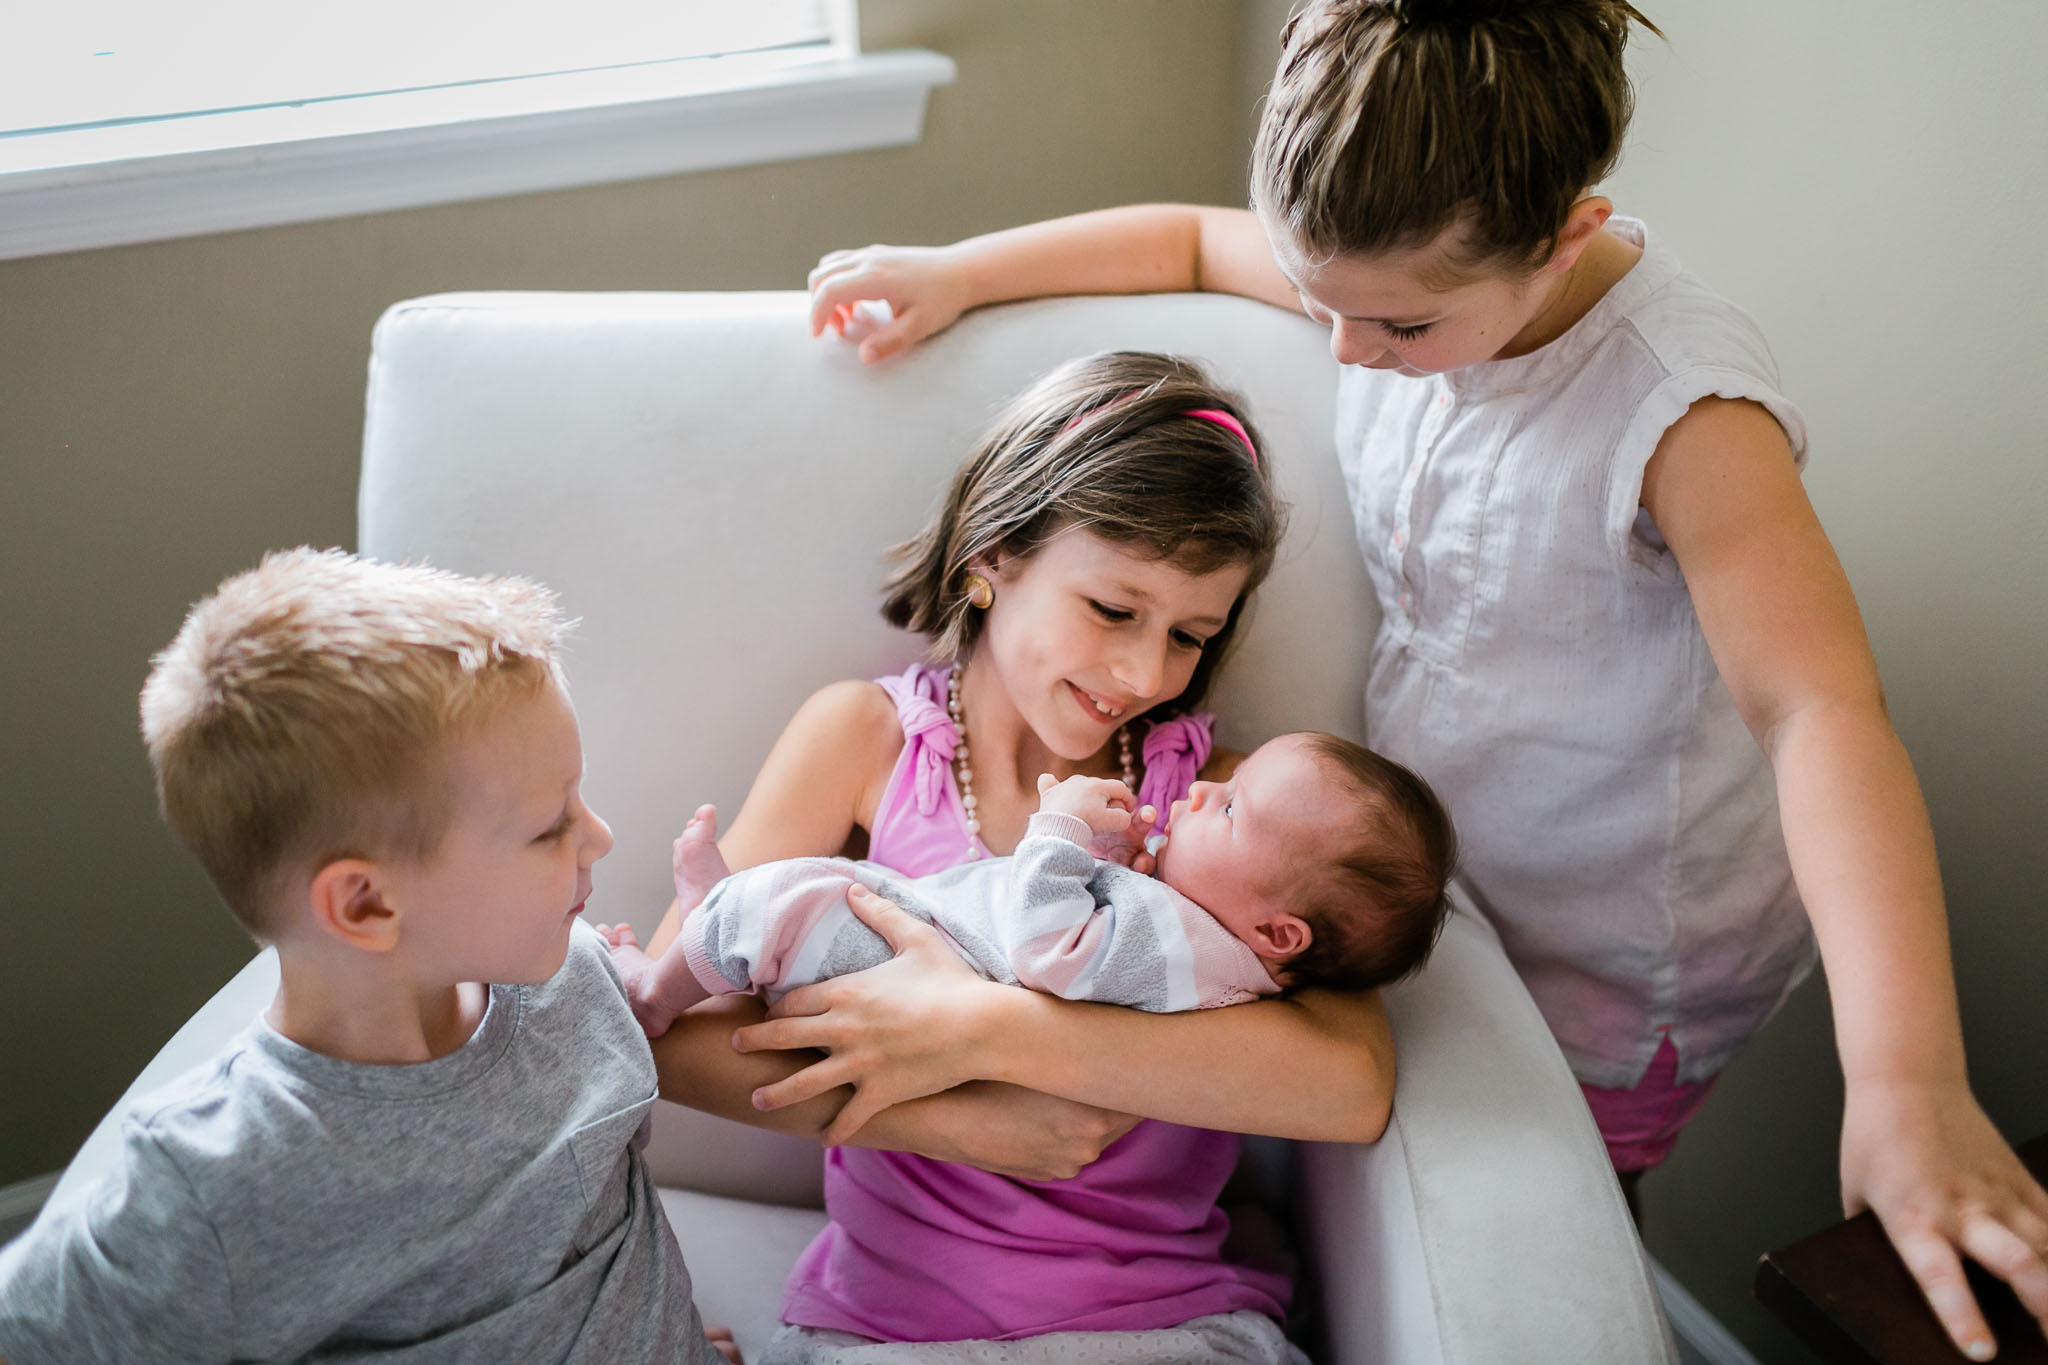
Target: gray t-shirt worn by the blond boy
x,y
280,1204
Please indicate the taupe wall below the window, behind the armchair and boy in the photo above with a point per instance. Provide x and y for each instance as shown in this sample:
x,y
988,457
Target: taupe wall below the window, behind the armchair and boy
x,y
173,410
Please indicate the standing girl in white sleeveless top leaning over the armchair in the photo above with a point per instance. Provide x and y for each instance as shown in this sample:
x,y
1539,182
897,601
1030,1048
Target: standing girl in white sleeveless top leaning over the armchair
x,y
1615,637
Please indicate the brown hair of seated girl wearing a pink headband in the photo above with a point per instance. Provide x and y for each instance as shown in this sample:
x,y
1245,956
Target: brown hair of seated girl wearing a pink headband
x,y
1107,445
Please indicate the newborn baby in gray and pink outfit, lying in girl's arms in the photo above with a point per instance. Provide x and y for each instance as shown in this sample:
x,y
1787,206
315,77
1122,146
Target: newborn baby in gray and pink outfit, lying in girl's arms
x,y
1318,863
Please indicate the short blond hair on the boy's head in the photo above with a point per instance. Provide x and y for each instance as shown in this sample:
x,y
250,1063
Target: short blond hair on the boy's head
x,y
306,707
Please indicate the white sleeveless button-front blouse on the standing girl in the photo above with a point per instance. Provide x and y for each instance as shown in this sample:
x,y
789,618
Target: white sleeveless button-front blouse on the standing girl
x,y
1541,664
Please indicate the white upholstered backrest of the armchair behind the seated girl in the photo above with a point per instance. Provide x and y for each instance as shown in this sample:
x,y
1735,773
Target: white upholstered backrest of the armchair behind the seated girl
x,y
712,492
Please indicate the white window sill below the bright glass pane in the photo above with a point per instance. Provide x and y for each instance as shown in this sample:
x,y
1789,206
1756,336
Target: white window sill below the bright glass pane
x,y
83,189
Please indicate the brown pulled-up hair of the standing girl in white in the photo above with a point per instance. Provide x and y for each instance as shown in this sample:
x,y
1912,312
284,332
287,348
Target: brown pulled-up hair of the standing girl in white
x,y
1392,122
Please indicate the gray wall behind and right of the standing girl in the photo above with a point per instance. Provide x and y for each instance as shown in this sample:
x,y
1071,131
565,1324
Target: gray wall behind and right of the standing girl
x,y
1871,187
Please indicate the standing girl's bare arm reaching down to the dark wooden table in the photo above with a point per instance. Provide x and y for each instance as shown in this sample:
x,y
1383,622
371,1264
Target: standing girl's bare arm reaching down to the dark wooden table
x,y
1789,642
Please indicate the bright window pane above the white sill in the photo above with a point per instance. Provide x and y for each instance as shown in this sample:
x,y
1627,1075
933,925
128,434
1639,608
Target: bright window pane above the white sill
x,y
105,62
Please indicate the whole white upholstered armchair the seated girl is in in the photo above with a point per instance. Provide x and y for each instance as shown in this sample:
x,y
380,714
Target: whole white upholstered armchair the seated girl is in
x,y
712,490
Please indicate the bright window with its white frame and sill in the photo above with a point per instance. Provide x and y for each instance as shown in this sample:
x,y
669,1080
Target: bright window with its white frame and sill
x,y
138,120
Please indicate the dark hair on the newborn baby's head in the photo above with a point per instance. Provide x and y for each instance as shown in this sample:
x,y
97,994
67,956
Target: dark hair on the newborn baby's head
x,y
1379,906
